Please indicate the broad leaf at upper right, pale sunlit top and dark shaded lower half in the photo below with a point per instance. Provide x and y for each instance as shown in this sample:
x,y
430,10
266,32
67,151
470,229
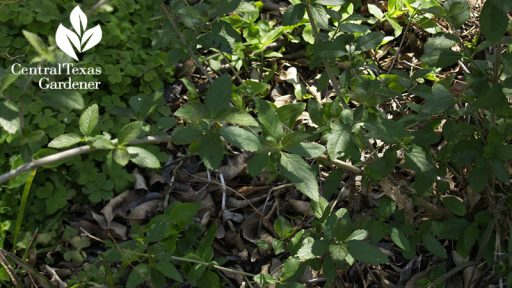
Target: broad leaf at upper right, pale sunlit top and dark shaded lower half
x,y
438,52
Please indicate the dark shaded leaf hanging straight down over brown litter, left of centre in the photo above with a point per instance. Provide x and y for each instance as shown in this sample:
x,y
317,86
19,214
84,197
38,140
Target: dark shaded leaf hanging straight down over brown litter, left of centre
x,y
211,150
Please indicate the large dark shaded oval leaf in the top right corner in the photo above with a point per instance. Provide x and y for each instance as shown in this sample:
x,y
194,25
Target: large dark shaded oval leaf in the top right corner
x,y
493,21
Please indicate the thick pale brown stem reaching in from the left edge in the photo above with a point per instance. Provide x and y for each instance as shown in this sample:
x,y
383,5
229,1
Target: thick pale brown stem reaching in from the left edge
x,y
71,153
